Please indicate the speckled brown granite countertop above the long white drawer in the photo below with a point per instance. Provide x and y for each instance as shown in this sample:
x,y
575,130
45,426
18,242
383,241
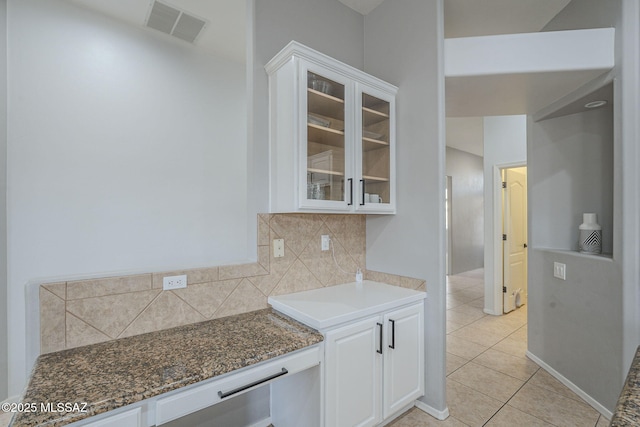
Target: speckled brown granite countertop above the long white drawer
x,y
116,373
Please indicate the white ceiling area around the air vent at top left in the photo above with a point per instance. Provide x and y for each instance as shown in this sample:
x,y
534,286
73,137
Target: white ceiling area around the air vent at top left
x,y
225,33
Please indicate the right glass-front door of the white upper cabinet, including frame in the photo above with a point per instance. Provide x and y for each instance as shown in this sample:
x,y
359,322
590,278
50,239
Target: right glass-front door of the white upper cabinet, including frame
x,y
375,150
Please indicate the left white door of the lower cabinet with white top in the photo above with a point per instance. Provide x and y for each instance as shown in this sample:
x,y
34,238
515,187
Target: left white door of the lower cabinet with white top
x,y
353,388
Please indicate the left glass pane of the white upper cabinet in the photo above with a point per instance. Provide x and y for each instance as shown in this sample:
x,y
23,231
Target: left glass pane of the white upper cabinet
x,y
325,138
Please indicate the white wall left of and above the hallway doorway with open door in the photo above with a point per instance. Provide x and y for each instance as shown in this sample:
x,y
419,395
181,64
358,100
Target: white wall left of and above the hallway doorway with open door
x,y
505,143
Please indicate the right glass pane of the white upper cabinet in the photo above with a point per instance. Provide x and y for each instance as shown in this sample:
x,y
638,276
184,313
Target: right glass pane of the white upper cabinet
x,y
375,149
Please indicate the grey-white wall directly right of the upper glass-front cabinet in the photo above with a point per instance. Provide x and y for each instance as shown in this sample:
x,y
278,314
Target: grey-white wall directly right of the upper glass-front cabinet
x,y
412,242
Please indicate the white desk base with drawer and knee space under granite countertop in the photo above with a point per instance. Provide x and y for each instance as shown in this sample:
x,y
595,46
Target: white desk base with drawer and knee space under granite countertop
x,y
292,378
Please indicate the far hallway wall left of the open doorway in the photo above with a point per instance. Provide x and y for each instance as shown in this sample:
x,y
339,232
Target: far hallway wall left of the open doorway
x,y
467,210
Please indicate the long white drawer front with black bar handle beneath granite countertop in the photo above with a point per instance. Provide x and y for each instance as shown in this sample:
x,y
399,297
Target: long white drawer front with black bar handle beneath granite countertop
x,y
194,398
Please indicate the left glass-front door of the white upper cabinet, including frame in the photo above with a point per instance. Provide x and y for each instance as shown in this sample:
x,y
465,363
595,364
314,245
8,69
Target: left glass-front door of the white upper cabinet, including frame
x,y
325,152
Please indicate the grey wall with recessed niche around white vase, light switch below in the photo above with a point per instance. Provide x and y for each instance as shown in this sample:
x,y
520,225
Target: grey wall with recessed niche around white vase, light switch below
x,y
575,325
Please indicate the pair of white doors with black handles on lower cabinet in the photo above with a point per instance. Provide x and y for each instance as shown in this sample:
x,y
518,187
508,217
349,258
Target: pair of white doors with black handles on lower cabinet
x,y
374,367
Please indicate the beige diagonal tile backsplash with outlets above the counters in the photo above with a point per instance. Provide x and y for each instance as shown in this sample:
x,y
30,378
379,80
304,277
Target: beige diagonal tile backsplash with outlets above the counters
x,y
84,312
